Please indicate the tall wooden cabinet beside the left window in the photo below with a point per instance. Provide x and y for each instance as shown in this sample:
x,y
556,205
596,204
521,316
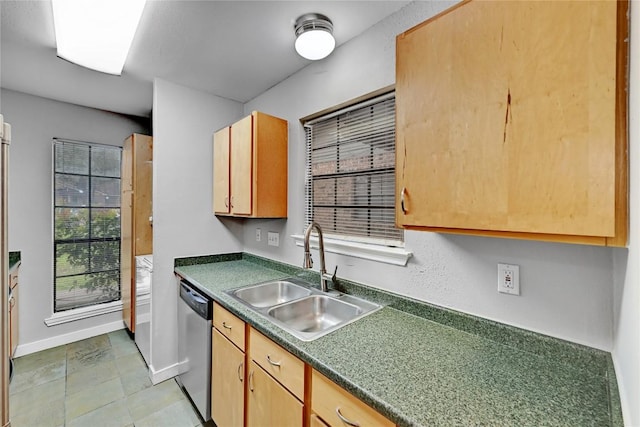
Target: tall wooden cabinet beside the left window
x,y
135,213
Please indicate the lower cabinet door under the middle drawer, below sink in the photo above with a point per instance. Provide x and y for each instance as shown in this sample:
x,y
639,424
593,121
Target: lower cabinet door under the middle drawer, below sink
x,y
270,404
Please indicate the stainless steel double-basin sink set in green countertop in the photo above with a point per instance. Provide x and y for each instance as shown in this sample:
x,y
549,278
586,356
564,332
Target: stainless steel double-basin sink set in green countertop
x,y
305,312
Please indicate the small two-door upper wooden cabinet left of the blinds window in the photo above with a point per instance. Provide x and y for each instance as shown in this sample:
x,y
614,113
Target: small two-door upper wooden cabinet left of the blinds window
x,y
250,168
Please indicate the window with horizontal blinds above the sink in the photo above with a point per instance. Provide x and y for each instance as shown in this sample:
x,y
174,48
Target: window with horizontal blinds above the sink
x,y
350,188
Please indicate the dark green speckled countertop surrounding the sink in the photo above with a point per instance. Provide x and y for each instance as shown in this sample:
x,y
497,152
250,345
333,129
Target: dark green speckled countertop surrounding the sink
x,y
422,365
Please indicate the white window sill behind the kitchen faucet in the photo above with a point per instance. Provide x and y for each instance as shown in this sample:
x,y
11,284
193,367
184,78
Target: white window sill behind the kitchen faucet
x,y
379,253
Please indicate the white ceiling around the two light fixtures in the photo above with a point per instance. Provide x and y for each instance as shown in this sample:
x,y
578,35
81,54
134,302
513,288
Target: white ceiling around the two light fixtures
x,y
233,49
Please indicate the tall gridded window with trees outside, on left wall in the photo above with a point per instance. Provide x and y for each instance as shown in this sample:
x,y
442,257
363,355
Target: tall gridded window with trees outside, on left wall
x,y
86,224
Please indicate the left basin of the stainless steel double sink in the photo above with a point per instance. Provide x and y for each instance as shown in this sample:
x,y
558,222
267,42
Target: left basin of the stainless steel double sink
x,y
271,293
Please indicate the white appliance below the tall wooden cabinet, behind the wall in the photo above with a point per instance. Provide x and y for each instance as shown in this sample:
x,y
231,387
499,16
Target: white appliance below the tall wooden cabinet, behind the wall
x,y
144,270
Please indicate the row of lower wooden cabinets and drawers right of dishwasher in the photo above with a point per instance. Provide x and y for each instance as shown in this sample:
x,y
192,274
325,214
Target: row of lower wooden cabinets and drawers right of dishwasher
x,y
268,386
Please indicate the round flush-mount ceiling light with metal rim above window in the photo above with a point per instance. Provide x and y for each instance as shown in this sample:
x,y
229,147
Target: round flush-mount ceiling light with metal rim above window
x,y
314,36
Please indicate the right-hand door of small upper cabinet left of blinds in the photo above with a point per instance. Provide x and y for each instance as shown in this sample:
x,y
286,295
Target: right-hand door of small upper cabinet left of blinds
x,y
242,166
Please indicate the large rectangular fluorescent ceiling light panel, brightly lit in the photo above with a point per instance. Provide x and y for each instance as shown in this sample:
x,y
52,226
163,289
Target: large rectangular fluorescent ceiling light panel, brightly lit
x,y
96,34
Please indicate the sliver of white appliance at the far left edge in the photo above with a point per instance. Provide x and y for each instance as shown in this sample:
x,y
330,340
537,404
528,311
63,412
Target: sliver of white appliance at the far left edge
x,y
5,136
